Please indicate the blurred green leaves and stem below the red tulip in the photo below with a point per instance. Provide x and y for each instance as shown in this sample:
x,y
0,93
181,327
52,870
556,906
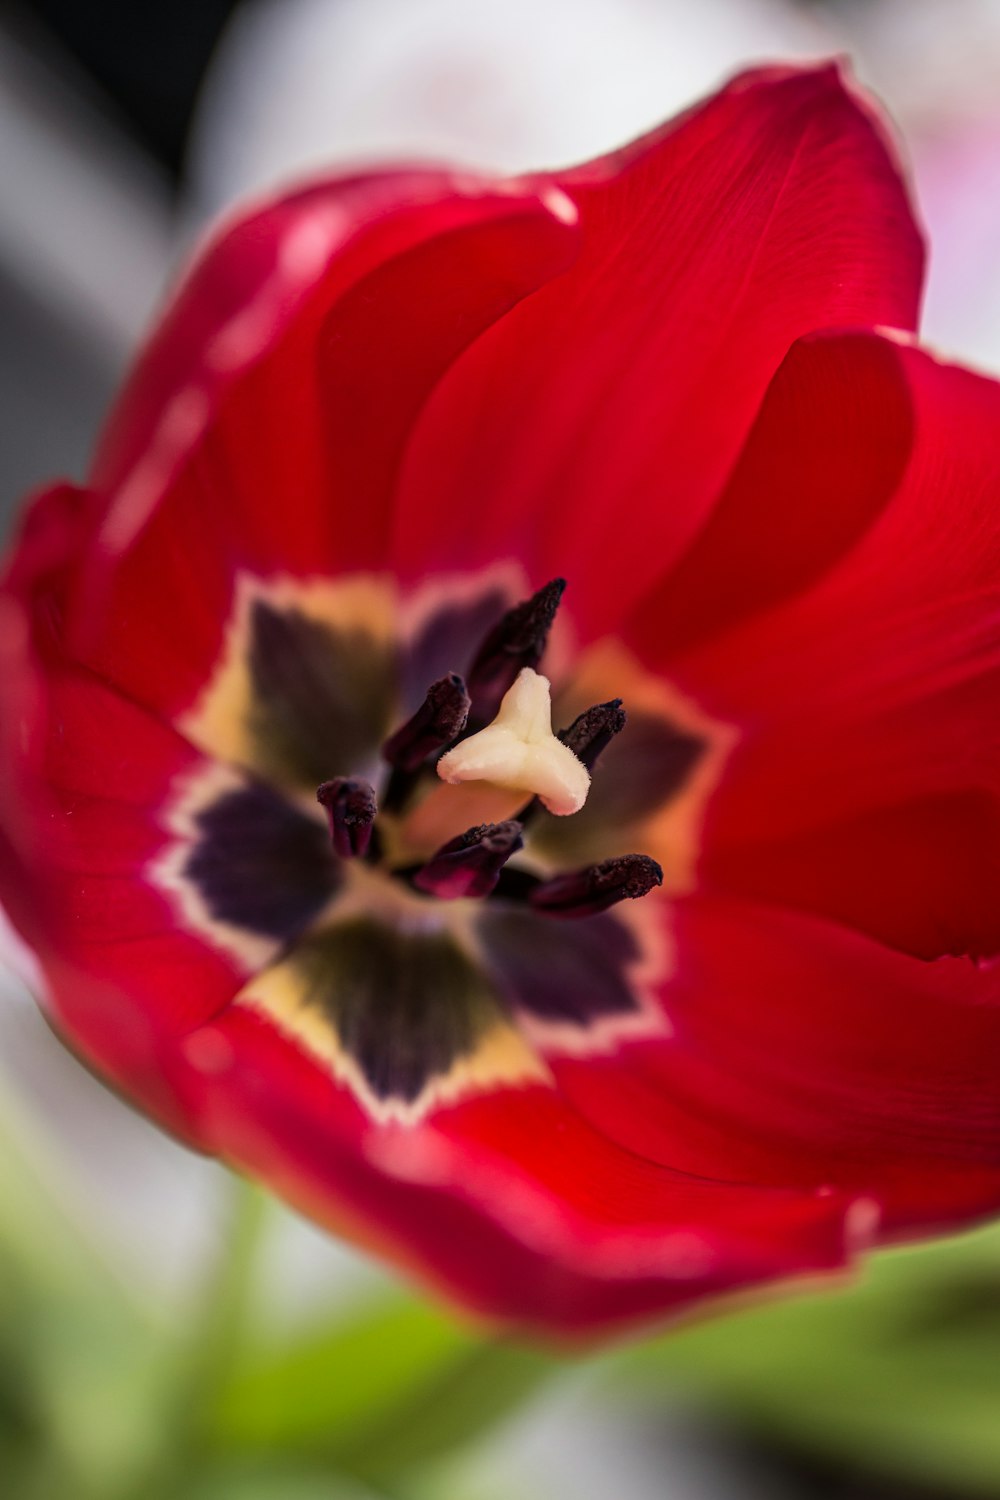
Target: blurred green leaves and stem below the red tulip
x,y
887,1385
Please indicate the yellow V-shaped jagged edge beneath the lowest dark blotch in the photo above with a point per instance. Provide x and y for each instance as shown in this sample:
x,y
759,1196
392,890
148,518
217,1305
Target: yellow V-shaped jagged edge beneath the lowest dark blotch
x,y
501,1058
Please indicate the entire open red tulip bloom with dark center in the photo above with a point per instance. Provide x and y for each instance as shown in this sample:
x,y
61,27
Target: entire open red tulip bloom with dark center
x,y
504,746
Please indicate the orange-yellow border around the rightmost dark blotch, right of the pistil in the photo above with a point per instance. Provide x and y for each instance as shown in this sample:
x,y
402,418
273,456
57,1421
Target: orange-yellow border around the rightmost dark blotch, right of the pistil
x,y
674,833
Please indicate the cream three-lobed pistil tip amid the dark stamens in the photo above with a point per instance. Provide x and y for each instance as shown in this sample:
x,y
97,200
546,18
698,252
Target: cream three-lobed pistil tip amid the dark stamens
x,y
521,752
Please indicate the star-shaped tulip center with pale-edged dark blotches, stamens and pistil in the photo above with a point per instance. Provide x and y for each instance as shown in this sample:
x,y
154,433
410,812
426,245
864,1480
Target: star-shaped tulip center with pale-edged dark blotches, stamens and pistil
x,y
410,943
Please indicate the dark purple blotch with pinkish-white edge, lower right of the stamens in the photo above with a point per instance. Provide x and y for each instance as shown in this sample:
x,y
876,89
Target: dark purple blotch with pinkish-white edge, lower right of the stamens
x,y
575,974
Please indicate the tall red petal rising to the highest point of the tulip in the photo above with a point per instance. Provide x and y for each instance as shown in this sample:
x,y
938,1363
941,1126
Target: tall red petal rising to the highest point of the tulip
x,y
593,428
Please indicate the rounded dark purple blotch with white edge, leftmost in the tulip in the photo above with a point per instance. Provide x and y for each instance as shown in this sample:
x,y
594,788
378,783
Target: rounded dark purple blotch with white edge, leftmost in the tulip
x,y
262,865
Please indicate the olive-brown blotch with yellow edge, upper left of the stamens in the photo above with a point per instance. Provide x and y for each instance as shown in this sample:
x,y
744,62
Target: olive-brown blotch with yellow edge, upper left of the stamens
x,y
323,698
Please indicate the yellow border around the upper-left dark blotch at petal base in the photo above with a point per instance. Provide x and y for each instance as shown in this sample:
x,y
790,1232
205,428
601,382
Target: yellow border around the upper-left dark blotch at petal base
x,y
359,602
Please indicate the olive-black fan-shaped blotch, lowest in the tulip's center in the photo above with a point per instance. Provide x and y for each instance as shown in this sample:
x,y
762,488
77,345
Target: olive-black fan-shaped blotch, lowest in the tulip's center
x,y
407,1006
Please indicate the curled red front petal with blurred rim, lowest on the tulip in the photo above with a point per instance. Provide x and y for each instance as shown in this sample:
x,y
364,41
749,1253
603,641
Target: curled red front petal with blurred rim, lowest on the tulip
x,y
510,1201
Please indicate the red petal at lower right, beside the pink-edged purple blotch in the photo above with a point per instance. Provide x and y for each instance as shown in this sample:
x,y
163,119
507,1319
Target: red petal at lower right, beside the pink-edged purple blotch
x,y
804,1055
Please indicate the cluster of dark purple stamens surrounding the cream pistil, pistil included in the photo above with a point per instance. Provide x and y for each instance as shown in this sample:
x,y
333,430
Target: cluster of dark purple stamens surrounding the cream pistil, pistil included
x,y
470,772
